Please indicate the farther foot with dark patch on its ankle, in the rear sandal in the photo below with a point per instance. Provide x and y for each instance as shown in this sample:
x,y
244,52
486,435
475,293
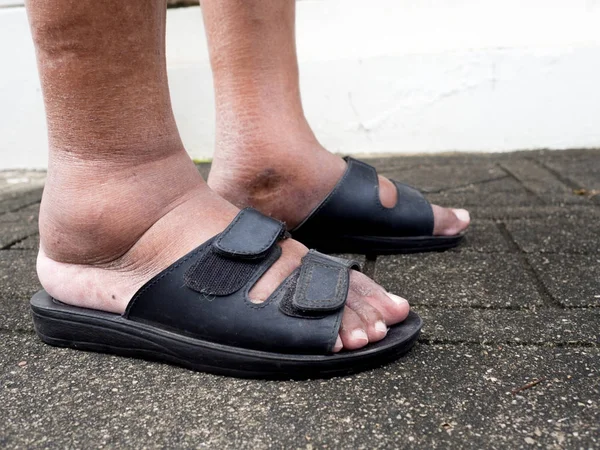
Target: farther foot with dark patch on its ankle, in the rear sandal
x,y
288,177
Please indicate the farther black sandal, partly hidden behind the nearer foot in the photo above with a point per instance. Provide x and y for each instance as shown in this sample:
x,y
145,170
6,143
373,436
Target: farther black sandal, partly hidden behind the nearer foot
x,y
351,219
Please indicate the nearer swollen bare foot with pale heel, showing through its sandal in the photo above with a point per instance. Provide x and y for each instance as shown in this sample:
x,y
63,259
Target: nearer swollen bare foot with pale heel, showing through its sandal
x,y
100,245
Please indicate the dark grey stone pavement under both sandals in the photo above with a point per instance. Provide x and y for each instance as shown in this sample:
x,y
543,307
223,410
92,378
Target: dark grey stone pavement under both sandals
x,y
509,356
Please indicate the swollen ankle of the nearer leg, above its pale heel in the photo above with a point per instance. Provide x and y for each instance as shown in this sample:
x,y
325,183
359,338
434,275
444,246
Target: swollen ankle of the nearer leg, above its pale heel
x,y
94,213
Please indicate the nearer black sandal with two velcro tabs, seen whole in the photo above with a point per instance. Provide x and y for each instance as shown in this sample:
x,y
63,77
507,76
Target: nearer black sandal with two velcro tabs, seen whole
x,y
197,313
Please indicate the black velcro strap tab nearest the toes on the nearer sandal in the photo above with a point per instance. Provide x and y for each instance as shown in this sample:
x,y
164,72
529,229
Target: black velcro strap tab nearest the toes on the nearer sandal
x,y
322,284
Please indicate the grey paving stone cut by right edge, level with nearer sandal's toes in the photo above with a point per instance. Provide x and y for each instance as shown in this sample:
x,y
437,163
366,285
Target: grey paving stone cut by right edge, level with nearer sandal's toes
x,y
573,280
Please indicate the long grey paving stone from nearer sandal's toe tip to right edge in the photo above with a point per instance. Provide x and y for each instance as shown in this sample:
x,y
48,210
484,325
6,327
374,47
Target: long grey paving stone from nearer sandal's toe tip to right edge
x,y
542,326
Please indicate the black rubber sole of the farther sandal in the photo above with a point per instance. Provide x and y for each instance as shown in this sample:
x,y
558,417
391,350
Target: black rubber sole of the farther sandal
x,y
382,245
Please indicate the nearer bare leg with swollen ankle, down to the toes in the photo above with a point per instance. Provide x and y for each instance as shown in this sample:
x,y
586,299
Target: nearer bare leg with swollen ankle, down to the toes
x,y
123,200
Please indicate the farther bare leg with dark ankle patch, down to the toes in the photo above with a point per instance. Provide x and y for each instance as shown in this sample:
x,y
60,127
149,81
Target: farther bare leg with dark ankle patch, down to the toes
x,y
266,154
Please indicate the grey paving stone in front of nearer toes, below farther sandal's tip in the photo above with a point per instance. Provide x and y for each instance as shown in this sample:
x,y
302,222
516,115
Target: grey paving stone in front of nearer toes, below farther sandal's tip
x,y
459,280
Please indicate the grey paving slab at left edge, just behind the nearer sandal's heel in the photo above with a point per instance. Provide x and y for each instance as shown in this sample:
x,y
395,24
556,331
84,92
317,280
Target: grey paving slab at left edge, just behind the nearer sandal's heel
x,y
18,282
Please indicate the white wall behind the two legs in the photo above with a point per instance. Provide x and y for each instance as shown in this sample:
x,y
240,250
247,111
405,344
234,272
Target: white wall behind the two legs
x,y
380,76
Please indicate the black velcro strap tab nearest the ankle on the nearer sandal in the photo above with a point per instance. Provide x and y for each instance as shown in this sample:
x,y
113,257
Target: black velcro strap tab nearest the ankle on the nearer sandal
x,y
250,235
